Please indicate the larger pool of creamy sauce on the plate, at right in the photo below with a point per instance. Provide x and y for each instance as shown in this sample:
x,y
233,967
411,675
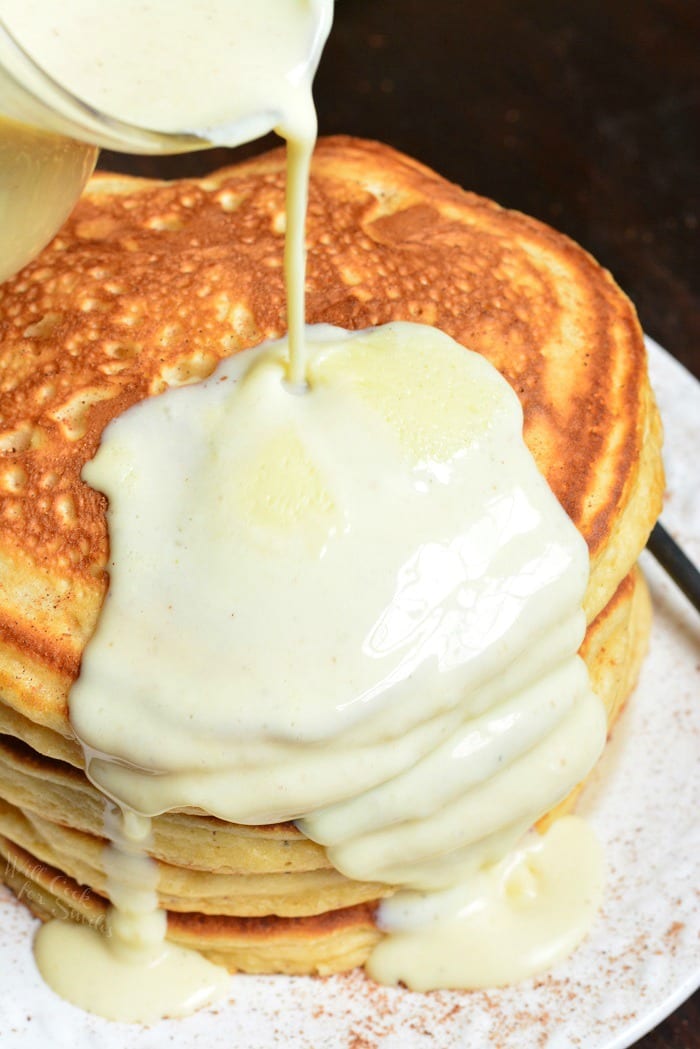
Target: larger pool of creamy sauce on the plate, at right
x,y
513,920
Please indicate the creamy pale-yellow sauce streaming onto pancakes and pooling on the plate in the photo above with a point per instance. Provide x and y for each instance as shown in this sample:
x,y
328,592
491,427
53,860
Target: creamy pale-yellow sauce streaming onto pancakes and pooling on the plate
x,y
357,608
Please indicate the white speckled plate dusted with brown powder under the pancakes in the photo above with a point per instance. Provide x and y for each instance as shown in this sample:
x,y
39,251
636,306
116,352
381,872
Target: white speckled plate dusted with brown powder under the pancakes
x,y
643,957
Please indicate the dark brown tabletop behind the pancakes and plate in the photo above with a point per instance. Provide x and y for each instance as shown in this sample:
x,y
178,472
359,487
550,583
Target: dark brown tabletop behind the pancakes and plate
x,y
583,113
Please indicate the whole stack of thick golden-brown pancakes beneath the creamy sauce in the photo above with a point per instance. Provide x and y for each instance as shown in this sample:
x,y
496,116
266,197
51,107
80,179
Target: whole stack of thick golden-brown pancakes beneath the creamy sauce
x,y
147,287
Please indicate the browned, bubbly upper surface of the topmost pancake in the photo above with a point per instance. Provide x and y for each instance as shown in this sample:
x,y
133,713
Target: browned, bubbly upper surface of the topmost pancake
x,y
150,285
